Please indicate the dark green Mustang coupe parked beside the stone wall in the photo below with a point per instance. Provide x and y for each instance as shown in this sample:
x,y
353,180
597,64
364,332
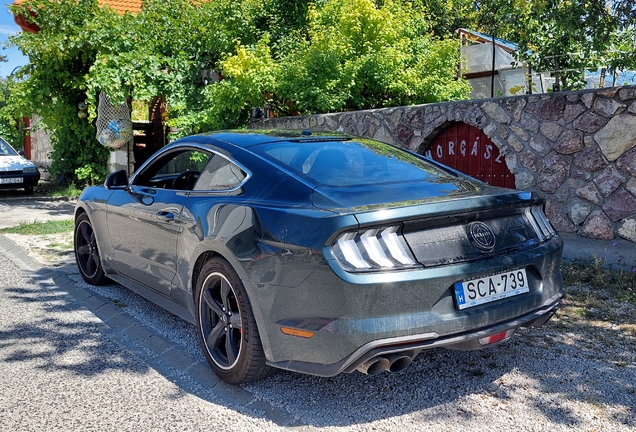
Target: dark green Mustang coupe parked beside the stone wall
x,y
320,253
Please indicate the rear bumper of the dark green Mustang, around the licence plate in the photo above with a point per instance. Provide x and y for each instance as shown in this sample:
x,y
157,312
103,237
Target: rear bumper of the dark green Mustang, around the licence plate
x,y
348,322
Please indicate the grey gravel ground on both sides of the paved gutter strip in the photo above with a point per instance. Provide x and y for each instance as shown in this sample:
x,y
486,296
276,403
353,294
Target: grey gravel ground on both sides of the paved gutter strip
x,y
576,373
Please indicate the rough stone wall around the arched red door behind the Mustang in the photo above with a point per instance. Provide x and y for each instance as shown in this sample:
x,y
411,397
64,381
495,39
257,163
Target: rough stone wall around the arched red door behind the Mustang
x,y
576,149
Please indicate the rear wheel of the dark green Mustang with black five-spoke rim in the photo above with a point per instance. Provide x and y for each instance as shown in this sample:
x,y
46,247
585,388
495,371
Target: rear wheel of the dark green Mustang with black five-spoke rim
x,y
226,326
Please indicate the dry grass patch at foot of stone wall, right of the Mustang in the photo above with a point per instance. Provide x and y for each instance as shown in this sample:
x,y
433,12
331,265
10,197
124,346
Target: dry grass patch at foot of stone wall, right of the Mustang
x,y
619,284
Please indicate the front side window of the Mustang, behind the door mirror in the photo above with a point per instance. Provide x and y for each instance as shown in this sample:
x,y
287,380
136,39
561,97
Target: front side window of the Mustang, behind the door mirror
x,y
175,170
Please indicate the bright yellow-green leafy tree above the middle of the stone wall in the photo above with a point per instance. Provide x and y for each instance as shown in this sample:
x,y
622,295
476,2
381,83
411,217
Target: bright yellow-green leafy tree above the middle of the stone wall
x,y
358,55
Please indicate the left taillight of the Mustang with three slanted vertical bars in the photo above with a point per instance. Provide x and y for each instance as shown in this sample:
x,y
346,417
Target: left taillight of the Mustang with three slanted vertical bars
x,y
373,250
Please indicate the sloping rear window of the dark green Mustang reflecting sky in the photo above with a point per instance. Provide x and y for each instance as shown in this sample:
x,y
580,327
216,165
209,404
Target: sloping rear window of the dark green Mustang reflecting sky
x,y
348,163
